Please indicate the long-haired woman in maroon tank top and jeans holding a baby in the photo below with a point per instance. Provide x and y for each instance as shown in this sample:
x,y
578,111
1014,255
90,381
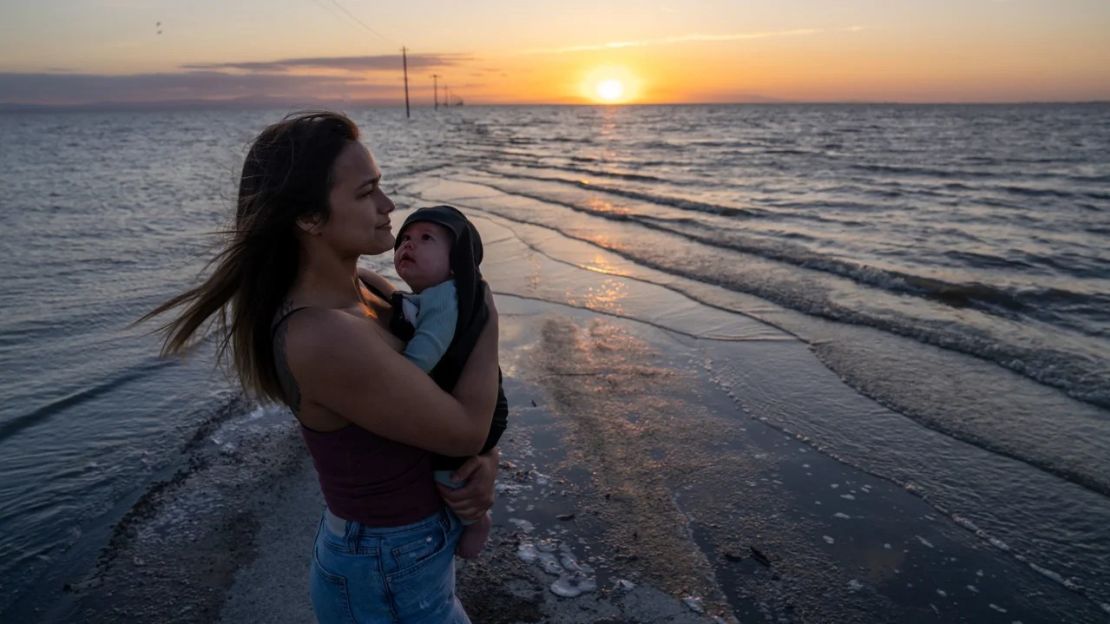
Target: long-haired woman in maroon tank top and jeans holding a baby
x,y
302,329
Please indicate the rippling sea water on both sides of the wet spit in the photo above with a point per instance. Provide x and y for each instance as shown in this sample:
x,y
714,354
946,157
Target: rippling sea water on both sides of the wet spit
x,y
977,230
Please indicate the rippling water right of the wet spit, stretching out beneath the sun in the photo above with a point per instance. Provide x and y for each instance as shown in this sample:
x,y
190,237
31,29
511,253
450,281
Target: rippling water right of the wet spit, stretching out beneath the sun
x,y
980,229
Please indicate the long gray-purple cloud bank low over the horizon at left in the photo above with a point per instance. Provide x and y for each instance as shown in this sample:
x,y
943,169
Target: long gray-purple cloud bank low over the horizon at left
x,y
77,89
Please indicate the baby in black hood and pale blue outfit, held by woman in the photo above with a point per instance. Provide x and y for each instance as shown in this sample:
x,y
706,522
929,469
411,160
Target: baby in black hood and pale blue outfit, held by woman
x,y
438,253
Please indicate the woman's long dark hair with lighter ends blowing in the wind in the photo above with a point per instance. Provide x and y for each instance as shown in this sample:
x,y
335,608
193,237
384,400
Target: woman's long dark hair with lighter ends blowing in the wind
x,y
287,176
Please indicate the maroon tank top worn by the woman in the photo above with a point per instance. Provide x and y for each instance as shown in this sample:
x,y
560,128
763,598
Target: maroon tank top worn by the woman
x,y
367,478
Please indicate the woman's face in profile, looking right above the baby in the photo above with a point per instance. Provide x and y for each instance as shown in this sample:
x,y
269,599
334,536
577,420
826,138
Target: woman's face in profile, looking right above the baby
x,y
359,223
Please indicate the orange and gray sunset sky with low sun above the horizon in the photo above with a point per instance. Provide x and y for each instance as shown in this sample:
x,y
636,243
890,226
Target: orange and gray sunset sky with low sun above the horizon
x,y
572,52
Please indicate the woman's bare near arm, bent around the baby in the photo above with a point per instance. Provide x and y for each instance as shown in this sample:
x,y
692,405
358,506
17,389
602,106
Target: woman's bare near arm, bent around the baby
x,y
344,366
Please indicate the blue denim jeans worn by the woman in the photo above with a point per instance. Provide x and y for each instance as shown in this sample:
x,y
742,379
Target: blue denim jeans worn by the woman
x,y
397,575
